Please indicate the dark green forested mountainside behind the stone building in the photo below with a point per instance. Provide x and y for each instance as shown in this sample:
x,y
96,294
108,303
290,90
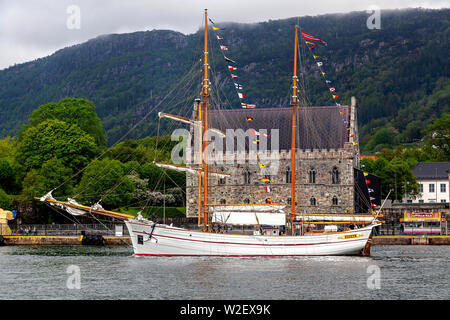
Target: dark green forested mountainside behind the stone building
x,y
399,74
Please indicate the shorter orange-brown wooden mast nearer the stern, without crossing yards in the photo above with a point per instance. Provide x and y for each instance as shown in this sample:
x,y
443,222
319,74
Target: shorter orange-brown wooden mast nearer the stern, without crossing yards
x,y
294,131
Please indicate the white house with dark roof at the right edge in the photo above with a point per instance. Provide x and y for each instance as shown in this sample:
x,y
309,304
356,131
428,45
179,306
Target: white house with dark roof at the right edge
x,y
433,180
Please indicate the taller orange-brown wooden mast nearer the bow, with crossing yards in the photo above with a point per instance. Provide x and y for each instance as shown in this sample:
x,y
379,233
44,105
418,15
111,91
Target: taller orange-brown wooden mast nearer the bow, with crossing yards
x,y
205,96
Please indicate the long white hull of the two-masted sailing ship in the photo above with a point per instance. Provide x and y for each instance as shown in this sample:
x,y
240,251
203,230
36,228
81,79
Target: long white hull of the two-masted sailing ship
x,y
171,241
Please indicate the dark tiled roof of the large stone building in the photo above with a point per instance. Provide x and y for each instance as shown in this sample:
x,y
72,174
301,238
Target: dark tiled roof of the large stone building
x,y
318,127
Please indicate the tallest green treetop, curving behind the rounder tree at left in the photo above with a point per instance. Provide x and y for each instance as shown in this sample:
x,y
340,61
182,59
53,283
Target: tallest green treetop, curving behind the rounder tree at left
x,y
77,111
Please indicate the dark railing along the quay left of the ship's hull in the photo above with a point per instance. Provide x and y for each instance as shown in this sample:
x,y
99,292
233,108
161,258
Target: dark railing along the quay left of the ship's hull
x,y
107,229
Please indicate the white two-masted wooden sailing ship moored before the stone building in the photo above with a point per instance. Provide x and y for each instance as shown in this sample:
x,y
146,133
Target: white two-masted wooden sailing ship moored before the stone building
x,y
275,233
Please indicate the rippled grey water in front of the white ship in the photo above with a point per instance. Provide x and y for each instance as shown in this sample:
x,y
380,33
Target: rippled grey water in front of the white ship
x,y
405,272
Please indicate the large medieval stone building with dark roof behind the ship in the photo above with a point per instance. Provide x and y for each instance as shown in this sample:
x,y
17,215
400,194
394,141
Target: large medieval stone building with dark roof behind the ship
x,y
326,166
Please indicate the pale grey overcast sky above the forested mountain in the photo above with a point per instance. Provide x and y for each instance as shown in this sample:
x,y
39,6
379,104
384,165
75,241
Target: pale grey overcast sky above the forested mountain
x,y
31,29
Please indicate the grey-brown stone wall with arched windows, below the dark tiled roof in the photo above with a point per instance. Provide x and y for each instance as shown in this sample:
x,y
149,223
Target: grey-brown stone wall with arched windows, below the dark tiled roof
x,y
235,190
